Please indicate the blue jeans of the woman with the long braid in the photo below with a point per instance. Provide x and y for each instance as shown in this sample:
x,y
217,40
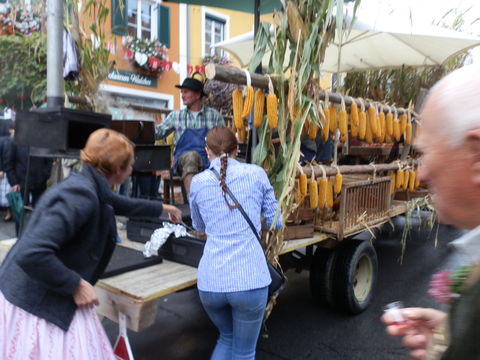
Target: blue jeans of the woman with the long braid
x,y
238,317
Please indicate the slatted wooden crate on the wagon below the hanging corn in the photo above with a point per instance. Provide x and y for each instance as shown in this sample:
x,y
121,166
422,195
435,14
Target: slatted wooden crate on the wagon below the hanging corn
x,y
362,203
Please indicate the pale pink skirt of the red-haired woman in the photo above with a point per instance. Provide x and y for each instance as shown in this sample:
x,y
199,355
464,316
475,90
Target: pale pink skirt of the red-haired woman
x,y
26,336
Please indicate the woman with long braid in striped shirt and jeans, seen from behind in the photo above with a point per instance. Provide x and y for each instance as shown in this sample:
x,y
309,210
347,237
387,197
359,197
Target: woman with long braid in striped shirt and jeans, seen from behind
x,y
233,277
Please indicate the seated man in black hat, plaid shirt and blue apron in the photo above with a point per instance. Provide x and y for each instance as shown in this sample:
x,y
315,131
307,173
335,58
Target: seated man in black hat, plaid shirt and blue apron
x,y
191,125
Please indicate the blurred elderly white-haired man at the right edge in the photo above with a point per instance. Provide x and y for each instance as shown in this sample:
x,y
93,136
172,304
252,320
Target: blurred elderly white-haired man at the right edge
x,y
449,142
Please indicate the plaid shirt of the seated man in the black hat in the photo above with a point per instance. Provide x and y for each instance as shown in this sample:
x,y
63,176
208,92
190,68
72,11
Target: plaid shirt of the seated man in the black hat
x,y
180,120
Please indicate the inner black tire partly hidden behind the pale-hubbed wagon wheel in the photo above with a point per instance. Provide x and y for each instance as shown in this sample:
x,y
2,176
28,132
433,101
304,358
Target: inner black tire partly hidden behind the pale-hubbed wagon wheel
x,y
321,276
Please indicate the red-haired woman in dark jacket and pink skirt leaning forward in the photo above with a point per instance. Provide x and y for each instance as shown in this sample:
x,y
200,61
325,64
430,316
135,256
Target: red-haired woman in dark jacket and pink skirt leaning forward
x,y
46,280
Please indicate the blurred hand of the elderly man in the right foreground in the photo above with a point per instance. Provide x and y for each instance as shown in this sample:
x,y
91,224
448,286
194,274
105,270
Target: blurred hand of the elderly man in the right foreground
x,y
416,330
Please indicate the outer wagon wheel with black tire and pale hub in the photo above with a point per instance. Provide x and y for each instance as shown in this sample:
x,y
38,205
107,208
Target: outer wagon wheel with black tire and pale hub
x,y
355,275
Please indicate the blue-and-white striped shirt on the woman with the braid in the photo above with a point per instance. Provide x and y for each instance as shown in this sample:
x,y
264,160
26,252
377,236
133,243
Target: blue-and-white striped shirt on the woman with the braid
x,y
233,259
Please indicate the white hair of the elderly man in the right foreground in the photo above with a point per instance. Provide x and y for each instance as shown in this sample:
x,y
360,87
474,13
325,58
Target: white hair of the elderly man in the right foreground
x,y
457,101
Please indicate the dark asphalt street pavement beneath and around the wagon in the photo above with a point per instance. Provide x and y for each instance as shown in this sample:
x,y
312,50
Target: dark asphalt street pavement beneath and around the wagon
x,y
298,327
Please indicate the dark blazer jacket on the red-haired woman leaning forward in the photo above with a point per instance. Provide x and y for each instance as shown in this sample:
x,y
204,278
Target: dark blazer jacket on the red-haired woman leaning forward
x,y
70,235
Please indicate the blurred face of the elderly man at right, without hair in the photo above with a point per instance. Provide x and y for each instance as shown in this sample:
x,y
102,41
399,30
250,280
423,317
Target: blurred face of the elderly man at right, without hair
x,y
447,172
